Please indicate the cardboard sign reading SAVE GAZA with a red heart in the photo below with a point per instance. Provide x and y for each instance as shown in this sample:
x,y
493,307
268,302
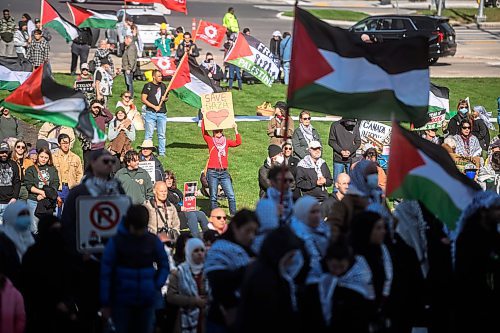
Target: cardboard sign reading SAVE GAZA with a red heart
x,y
218,111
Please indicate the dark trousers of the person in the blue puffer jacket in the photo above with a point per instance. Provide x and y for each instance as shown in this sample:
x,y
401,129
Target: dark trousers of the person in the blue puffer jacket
x,y
133,319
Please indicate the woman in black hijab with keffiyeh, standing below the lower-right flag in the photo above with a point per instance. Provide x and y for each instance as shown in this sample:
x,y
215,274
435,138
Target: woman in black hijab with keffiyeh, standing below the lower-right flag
x,y
367,239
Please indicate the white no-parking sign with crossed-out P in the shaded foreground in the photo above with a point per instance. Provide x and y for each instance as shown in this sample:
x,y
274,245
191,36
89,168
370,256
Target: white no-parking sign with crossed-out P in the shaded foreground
x,y
98,220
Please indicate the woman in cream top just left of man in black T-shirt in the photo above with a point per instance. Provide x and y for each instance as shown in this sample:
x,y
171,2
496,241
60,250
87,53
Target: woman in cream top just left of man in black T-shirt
x,y
121,134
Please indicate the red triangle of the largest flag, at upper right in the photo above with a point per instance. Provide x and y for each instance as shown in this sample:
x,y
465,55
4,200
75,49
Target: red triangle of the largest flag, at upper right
x,y
308,64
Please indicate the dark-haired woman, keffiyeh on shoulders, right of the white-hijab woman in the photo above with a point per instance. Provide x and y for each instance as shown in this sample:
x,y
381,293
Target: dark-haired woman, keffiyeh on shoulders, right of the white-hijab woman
x,y
225,268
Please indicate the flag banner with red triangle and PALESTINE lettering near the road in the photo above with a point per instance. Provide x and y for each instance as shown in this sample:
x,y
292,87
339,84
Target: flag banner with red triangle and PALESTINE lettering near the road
x,y
254,57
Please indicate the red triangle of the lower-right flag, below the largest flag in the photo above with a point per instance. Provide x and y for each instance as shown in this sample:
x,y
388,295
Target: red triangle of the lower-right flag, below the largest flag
x,y
404,157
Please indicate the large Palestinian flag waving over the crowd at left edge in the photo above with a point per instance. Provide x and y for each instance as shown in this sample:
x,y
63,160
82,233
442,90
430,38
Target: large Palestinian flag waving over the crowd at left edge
x,y
40,97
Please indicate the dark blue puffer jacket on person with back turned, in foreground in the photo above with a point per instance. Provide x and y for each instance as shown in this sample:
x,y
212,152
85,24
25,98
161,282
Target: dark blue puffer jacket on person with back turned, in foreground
x,y
128,276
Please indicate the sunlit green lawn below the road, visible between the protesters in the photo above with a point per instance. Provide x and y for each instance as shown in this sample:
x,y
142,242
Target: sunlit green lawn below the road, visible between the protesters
x,y
187,152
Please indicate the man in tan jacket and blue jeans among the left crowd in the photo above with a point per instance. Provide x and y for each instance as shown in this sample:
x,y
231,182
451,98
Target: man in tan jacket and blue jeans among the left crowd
x,y
69,167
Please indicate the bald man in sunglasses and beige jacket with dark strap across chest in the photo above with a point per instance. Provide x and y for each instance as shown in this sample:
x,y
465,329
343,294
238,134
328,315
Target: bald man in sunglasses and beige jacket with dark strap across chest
x,y
163,216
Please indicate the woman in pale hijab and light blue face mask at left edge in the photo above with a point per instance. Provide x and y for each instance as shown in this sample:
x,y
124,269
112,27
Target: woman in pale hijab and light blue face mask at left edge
x,y
15,239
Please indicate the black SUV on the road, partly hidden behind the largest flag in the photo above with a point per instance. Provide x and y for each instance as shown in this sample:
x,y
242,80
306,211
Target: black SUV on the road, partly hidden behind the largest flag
x,y
441,34
